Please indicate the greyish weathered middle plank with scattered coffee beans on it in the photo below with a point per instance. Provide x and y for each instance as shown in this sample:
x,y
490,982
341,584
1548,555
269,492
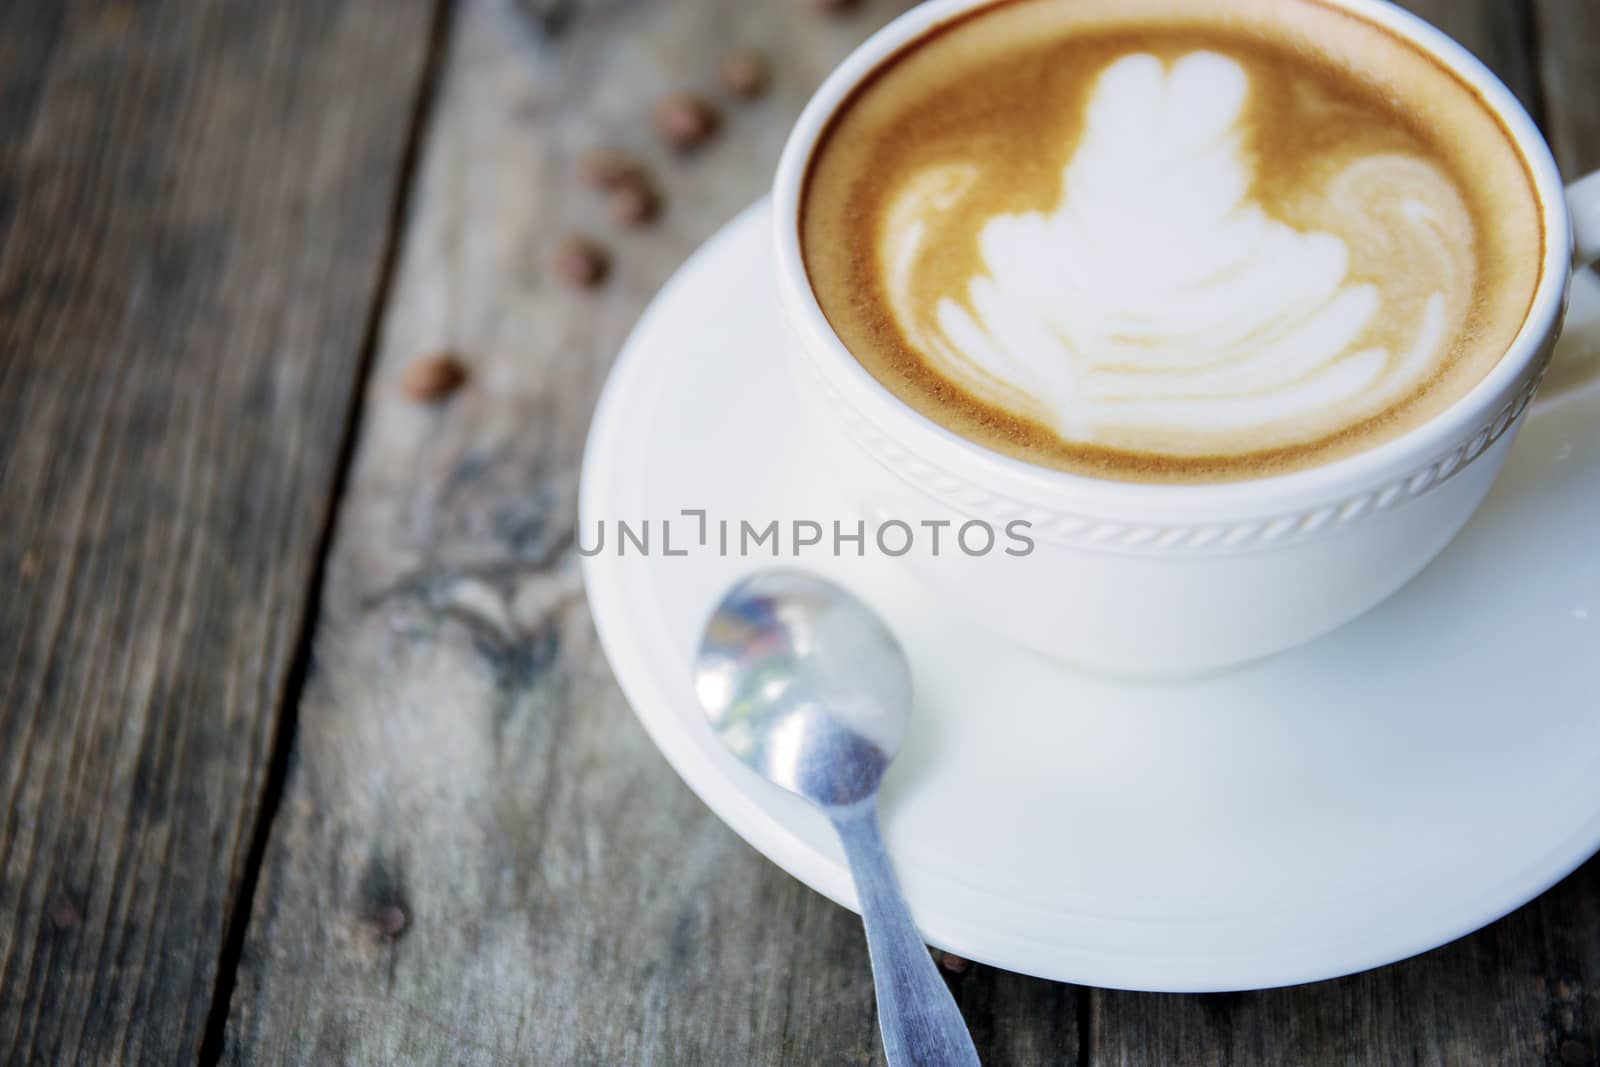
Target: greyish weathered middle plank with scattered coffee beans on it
x,y
465,759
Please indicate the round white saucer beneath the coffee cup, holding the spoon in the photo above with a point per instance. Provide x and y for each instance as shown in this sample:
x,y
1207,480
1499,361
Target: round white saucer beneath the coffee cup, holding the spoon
x,y
1354,802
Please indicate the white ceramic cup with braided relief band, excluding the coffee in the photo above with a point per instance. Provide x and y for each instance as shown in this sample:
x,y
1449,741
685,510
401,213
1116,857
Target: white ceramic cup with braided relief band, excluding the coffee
x,y
1174,578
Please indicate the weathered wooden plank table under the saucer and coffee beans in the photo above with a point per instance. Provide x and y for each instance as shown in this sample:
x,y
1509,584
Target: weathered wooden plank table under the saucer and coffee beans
x,y
308,751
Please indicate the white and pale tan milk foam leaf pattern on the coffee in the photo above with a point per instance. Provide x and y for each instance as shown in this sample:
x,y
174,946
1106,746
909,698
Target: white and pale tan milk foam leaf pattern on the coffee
x,y
1162,303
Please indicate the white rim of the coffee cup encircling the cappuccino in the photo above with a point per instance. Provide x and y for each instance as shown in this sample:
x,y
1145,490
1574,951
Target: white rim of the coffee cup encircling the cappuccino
x,y
943,447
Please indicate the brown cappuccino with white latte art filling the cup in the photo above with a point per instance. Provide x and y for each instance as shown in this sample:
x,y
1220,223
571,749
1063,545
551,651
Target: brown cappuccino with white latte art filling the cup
x,y
1170,242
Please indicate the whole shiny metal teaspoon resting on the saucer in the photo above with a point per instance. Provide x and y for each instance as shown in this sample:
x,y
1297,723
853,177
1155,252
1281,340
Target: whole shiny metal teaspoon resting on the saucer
x,y
809,689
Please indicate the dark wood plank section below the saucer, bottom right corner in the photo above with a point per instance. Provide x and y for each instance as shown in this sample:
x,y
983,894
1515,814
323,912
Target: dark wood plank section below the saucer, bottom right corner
x,y
1521,993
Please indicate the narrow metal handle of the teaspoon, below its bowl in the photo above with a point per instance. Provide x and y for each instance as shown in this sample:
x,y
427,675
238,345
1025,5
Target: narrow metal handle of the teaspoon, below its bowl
x,y
921,1023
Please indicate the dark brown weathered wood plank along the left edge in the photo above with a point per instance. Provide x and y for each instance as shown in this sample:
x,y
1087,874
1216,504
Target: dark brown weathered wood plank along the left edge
x,y
194,210
